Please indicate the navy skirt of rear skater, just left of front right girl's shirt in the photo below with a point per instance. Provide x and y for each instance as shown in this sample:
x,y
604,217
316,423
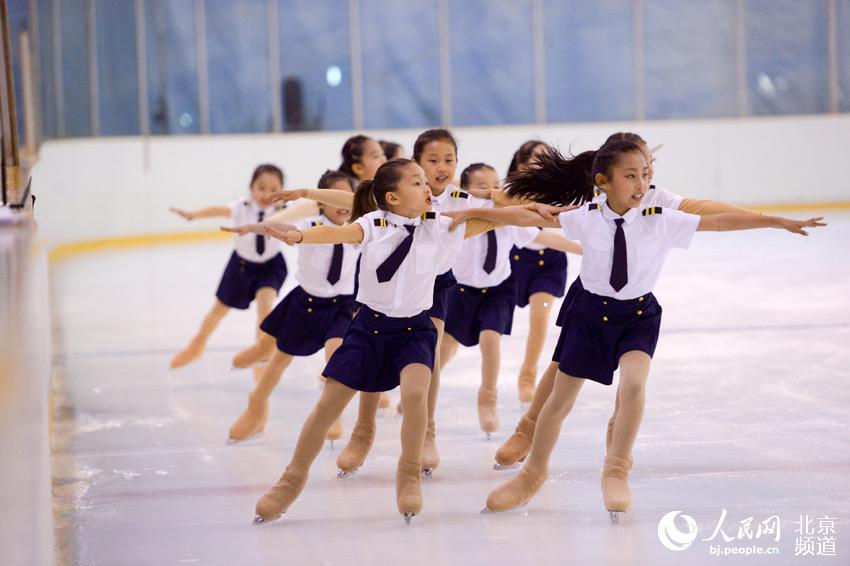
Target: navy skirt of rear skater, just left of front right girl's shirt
x,y
538,271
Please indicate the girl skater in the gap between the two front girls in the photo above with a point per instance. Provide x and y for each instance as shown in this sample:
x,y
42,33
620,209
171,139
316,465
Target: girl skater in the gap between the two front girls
x,y
481,305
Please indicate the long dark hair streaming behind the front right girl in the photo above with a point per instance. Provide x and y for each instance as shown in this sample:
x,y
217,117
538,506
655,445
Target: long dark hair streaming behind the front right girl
x,y
556,179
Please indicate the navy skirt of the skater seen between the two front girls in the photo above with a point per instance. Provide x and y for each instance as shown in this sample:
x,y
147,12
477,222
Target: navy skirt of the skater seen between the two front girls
x,y
473,309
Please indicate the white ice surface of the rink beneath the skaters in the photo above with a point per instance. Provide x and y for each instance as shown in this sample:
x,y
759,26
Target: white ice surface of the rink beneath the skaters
x,y
747,411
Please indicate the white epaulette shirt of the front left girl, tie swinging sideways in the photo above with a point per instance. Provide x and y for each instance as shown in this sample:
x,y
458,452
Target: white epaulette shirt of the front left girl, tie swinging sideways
x,y
411,290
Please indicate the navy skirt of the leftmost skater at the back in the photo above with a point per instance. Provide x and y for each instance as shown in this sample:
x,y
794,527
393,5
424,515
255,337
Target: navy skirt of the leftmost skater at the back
x,y
242,279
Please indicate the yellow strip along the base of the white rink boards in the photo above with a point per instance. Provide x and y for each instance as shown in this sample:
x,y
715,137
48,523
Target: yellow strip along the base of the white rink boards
x,y
65,251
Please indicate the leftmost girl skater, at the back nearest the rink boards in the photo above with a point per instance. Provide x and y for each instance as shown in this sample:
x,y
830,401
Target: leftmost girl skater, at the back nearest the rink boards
x,y
256,269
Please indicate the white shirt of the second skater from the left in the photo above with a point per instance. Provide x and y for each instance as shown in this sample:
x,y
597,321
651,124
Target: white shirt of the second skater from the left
x,y
314,262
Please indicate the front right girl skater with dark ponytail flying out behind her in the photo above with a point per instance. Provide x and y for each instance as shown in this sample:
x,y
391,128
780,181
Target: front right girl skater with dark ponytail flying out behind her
x,y
611,317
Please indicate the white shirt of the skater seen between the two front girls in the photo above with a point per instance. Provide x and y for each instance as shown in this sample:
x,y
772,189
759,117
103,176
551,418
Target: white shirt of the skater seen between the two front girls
x,y
469,265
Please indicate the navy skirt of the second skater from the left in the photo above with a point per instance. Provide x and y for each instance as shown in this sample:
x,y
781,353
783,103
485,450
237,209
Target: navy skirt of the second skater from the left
x,y
302,323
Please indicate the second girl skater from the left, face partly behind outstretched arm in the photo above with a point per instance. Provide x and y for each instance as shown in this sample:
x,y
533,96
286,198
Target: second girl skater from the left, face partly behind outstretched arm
x,y
314,315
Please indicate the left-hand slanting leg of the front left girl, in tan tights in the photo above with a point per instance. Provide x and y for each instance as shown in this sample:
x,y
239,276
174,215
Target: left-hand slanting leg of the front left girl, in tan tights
x,y
335,396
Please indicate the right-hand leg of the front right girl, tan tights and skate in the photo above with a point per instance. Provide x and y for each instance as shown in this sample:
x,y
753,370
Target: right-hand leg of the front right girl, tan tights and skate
x,y
634,370
